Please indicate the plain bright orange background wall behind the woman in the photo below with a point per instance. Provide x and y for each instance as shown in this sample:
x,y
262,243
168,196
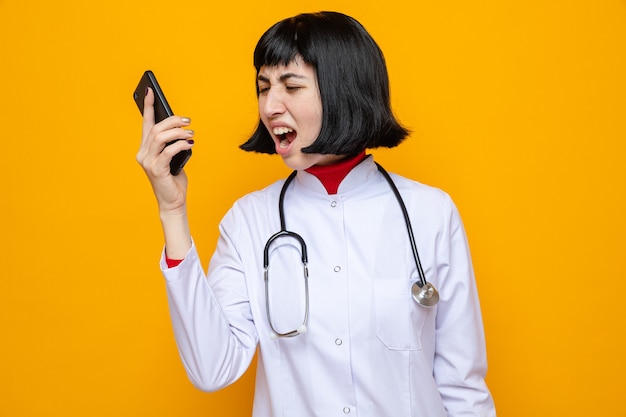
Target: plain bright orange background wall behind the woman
x,y
517,110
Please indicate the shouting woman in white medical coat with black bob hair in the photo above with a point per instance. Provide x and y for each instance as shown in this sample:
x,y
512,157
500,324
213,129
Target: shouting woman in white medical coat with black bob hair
x,y
319,271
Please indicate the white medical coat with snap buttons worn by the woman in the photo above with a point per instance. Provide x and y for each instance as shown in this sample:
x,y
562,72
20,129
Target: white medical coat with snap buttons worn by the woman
x,y
369,350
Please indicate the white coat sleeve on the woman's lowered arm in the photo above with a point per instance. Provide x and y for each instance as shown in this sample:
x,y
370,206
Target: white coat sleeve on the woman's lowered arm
x,y
460,362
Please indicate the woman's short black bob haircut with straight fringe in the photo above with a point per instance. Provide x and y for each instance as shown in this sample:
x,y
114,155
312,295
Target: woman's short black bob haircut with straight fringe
x,y
352,79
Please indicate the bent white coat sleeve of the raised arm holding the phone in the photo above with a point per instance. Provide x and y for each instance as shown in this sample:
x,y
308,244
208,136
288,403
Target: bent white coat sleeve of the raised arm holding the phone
x,y
213,325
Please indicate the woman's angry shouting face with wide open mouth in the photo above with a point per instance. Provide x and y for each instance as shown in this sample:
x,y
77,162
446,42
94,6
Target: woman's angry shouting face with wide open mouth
x,y
290,107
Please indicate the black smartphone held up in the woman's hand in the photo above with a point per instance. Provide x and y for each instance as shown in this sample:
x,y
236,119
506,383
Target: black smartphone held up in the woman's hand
x,y
162,110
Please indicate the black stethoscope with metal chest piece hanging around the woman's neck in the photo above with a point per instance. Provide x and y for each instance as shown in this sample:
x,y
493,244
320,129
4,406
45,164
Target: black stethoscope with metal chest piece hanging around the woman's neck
x,y
424,293
